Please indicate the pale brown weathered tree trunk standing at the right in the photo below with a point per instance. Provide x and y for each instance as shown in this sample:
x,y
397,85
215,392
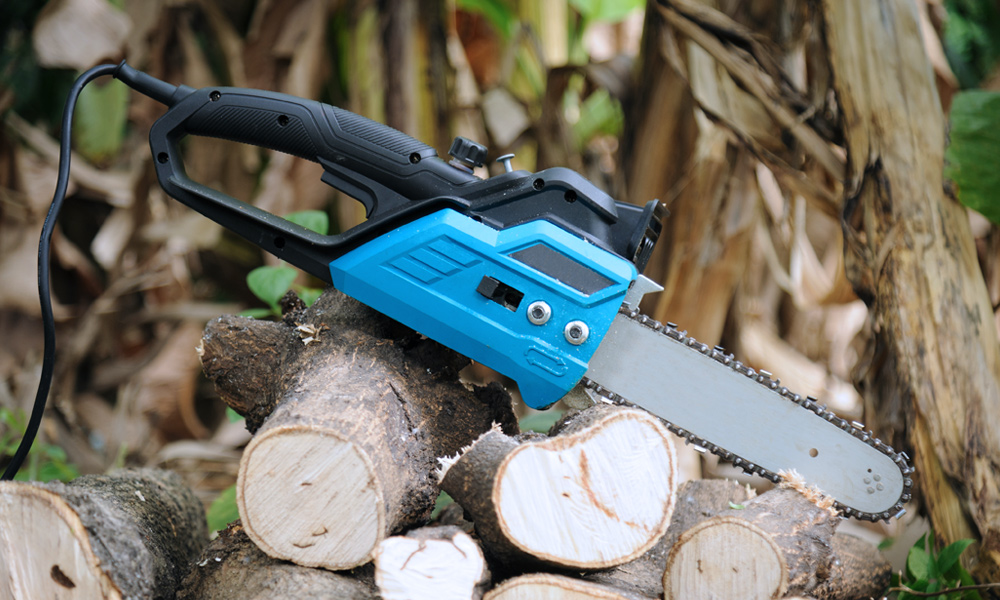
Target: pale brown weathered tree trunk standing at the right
x,y
934,363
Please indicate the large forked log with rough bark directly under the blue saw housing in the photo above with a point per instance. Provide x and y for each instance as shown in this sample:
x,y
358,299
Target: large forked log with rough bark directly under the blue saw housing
x,y
351,411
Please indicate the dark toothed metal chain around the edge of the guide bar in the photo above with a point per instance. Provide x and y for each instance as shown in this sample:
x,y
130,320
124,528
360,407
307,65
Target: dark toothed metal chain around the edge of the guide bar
x,y
808,402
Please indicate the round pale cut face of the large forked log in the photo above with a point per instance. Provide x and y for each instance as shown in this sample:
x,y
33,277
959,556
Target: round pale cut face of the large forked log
x,y
312,472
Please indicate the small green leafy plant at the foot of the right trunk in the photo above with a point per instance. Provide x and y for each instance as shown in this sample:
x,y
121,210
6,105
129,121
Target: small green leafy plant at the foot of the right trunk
x,y
938,574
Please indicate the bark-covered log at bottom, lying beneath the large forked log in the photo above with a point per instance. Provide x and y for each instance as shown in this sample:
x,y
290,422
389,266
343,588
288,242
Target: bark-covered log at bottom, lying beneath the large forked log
x,y
233,567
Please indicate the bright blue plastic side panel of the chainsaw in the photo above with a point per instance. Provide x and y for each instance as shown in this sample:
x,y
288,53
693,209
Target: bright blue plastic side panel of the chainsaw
x,y
426,274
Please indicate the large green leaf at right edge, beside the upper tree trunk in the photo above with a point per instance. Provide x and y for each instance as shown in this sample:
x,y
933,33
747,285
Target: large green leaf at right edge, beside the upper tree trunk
x,y
970,159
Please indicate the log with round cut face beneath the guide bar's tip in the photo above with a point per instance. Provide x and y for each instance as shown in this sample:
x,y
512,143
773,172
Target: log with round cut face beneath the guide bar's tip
x,y
775,544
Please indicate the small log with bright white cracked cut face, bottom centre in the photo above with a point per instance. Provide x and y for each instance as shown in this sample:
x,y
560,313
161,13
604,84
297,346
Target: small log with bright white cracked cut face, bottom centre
x,y
431,563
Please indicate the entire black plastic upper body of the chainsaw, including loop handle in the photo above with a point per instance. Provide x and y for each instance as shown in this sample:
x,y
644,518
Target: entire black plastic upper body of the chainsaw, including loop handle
x,y
396,177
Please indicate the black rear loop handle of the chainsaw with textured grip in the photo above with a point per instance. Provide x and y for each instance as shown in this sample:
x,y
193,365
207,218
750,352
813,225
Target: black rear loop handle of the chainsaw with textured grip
x,y
387,170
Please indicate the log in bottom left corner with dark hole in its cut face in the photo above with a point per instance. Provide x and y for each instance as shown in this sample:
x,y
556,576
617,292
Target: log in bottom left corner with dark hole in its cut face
x,y
131,534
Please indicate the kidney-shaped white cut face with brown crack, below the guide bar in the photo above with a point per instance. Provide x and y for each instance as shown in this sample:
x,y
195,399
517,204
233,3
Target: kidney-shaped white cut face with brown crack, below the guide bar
x,y
593,499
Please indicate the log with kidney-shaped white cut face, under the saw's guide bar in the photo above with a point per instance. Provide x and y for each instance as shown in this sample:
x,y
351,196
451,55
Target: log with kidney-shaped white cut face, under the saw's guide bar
x,y
598,494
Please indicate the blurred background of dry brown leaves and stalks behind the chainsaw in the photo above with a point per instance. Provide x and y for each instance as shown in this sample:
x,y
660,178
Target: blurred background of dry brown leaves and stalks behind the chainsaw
x,y
629,95
